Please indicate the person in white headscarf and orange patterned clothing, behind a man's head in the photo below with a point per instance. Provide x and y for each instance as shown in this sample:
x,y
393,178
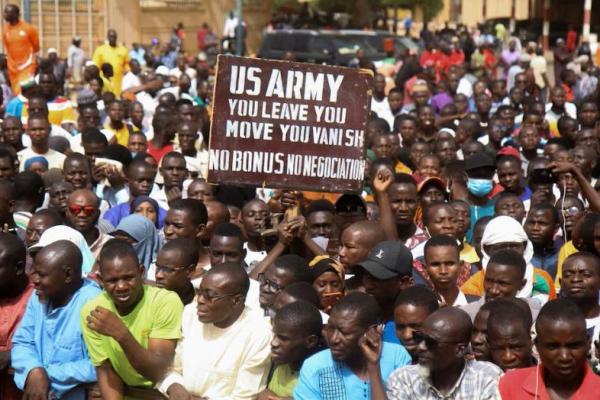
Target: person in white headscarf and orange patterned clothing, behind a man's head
x,y
505,232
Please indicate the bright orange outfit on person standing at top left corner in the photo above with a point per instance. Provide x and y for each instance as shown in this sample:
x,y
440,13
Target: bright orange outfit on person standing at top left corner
x,y
21,41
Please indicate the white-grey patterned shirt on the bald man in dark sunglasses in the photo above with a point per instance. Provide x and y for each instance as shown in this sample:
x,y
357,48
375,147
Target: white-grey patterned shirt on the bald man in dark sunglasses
x,y
478,381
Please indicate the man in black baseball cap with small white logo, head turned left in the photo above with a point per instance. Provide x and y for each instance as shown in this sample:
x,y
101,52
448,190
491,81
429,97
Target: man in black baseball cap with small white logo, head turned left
x,y
385,273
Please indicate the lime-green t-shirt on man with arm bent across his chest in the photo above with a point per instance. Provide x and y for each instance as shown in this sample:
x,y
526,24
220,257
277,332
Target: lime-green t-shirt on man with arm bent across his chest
x,y
157,316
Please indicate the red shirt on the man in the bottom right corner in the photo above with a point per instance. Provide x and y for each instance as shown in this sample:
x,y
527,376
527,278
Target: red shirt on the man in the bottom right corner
x,y
520,384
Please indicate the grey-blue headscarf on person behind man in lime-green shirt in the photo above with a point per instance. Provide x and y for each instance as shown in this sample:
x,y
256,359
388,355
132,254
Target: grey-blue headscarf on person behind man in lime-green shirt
x,y
142,230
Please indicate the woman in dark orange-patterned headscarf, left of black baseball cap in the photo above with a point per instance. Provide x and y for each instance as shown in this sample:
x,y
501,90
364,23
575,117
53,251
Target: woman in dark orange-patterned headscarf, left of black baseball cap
x,y
328,281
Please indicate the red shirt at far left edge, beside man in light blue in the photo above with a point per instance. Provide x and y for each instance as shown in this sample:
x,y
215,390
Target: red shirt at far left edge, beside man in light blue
x,y
11,312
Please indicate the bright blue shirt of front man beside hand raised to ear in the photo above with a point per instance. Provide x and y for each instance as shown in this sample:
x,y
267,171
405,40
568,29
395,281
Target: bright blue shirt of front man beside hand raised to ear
x,y
321,377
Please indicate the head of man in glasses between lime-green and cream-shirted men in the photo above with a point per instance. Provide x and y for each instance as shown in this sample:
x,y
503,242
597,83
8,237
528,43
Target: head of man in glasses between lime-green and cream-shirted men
x,y
175,263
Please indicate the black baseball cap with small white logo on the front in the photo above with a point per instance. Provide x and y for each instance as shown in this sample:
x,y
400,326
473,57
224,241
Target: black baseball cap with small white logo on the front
x,y
387,260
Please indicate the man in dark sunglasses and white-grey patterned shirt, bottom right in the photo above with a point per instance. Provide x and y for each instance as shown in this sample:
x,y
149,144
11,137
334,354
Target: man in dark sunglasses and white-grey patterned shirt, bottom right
x,y
442,371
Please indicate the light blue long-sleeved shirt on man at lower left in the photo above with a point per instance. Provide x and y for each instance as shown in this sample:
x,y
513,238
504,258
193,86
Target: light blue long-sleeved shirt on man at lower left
x,y
52,339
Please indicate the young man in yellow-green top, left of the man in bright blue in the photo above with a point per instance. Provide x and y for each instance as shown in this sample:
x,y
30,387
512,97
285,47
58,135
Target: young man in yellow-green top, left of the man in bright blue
x,y
296,336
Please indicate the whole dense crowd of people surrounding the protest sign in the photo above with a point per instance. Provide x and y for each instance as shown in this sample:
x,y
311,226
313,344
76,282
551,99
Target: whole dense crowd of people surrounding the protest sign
x,y
468,267
